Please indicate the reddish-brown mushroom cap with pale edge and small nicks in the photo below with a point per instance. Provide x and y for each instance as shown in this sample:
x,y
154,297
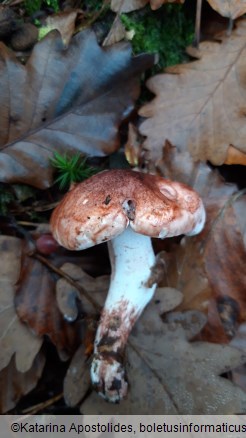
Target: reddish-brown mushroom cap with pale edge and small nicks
x,y
101,207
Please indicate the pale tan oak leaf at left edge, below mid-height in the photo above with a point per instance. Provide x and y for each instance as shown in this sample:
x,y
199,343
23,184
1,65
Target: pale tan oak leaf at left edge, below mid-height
x,y
15,339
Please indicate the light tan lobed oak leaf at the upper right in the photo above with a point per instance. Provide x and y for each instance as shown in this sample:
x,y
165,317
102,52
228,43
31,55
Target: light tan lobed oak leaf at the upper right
x,y
200,106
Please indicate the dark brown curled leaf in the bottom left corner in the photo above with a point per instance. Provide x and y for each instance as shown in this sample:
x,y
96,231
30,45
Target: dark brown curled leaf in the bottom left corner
x,y
15,384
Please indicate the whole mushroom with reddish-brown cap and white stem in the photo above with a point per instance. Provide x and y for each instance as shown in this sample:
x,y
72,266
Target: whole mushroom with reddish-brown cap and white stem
x,y
124,208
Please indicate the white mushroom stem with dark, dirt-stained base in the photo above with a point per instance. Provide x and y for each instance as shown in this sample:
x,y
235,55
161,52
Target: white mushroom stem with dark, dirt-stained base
x,y
132,258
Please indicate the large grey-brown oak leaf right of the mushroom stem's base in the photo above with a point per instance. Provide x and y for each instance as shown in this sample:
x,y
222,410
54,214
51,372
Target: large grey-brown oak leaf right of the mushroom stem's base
x,y
168,374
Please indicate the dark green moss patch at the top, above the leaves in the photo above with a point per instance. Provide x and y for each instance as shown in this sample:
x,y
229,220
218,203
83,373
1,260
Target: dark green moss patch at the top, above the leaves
x,y
166,31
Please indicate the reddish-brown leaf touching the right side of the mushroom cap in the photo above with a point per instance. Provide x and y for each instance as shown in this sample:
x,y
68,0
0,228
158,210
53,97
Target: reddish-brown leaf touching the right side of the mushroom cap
x,y
209,269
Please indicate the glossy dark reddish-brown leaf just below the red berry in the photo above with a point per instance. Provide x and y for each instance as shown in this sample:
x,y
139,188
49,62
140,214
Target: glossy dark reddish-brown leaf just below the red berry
x,y
36,305
